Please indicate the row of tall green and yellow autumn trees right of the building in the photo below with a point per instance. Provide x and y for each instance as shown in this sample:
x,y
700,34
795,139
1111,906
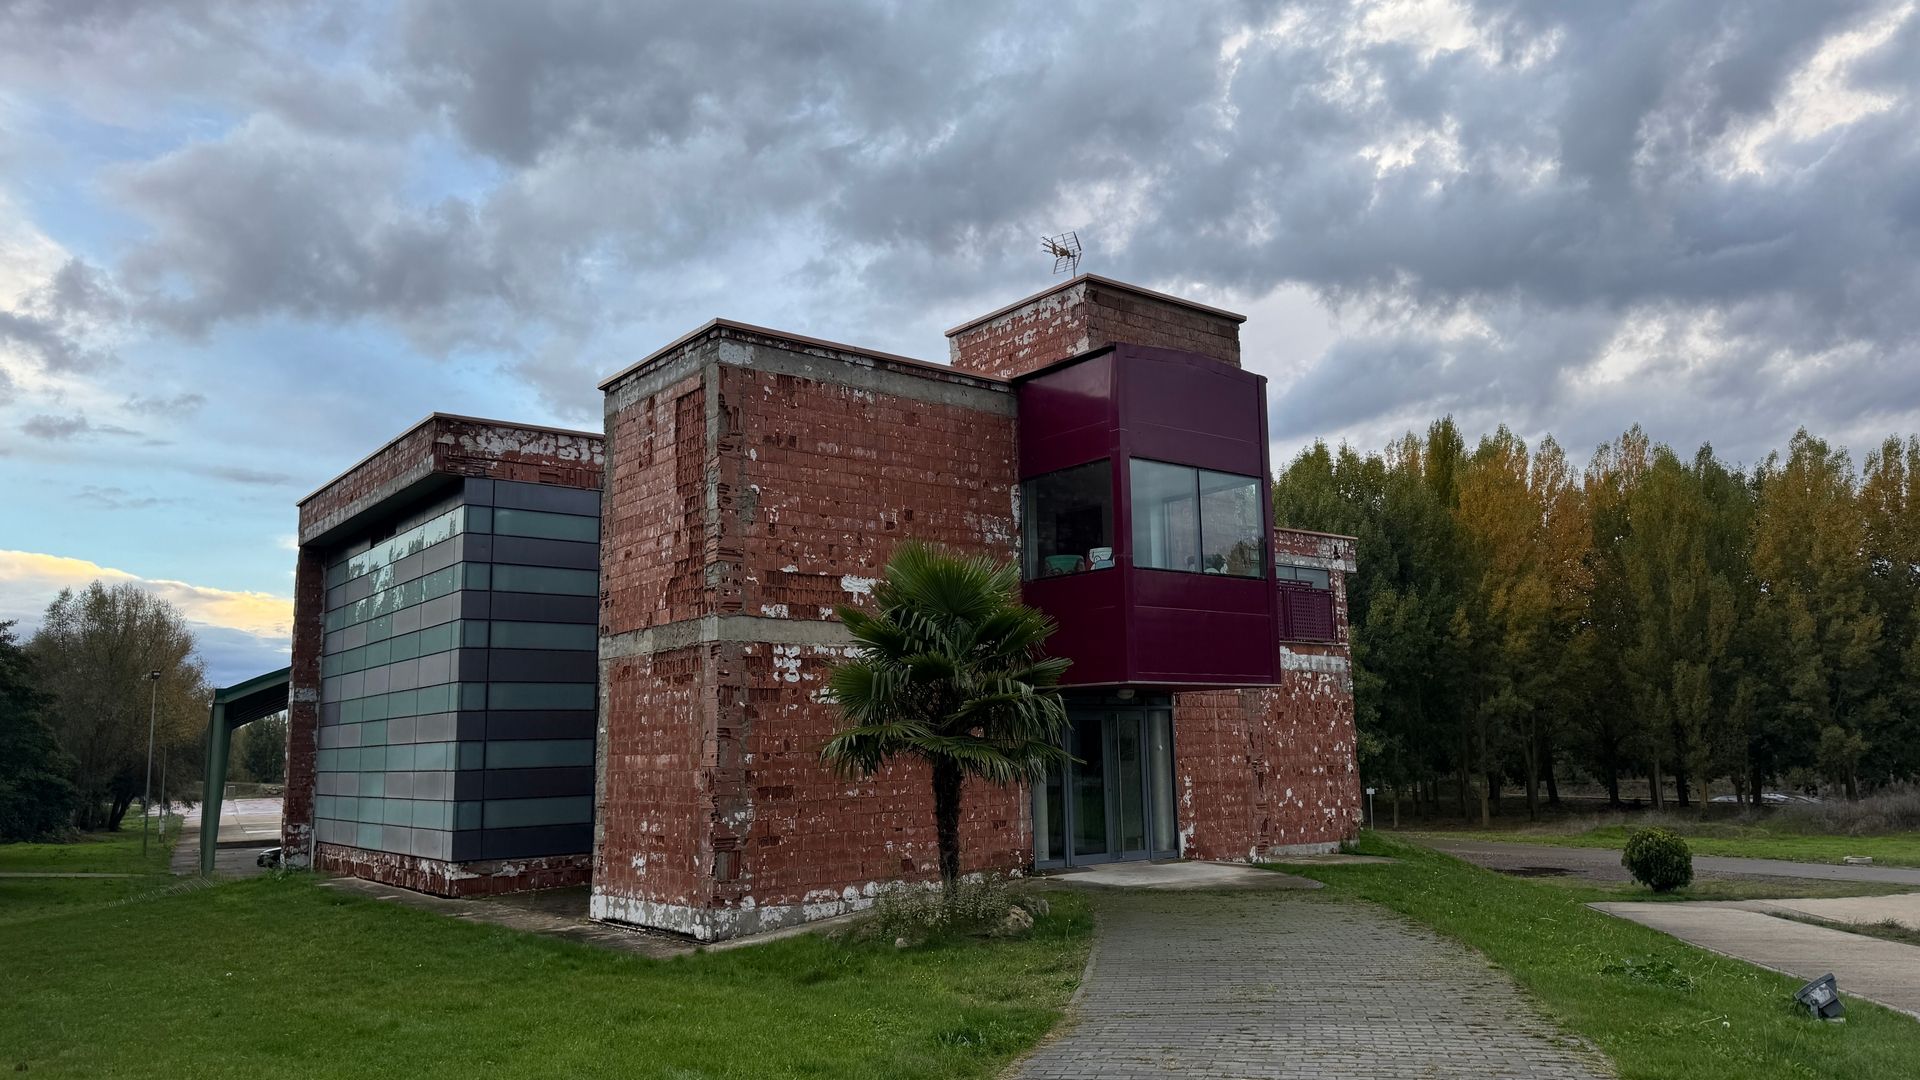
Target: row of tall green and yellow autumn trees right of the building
x,y
1522,620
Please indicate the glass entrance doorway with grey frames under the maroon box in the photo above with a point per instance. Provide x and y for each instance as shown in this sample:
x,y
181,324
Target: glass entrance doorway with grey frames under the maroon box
x,y
1116,798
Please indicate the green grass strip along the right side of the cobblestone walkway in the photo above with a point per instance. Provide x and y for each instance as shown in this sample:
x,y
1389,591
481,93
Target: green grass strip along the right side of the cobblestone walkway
x,y
1660,1008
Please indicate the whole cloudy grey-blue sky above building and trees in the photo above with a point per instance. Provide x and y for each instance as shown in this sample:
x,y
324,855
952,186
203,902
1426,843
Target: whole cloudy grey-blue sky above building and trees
x,y
222,222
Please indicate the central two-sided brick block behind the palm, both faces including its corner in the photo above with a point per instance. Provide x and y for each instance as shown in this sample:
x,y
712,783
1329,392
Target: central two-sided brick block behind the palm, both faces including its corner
x,y
800,468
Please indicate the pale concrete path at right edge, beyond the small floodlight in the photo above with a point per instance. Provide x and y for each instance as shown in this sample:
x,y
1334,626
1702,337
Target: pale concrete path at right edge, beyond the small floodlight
x,y
1867,968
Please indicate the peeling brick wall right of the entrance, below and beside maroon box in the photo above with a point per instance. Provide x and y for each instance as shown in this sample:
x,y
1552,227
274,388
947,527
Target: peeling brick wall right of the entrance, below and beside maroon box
x,y
1274,770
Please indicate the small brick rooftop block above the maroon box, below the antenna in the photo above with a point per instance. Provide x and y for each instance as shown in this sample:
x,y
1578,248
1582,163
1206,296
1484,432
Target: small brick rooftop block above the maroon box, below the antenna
x,y
1086,314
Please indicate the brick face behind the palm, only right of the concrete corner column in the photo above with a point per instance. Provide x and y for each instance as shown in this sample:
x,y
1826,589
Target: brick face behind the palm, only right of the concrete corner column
x,y
825,479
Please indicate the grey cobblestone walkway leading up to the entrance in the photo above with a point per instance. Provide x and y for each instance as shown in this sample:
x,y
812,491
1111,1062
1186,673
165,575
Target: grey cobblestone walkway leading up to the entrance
x,y
1262,985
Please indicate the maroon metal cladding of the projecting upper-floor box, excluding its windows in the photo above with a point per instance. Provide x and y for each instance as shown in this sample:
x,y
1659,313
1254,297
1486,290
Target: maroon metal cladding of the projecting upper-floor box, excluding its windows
x,y
1149,627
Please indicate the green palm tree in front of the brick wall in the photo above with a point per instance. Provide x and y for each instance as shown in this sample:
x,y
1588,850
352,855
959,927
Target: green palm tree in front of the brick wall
x,y
949,670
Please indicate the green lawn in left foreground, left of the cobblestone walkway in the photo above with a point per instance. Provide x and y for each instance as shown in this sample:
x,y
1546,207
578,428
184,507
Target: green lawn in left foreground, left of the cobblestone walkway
x,y
281,977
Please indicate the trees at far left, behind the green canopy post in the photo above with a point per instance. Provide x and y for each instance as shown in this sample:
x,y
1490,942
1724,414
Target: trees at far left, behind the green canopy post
x,y
76,706
